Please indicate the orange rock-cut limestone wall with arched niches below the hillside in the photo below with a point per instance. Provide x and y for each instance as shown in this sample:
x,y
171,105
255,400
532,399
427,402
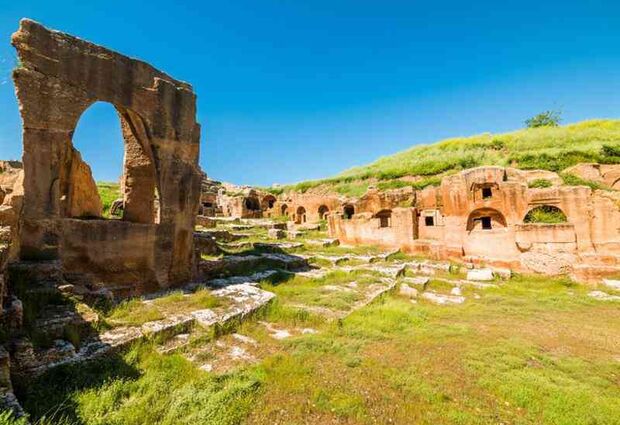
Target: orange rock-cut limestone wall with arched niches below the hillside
x,y
478,216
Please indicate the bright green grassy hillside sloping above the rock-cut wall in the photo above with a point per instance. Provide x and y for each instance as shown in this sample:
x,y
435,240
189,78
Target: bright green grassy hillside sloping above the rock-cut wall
x,y
548,148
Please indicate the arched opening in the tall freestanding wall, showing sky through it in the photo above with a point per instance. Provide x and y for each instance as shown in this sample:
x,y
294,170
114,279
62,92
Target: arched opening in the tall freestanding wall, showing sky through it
x,y
117,168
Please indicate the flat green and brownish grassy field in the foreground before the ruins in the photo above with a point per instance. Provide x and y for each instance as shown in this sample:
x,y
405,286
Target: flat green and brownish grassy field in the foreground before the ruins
x,y
533,351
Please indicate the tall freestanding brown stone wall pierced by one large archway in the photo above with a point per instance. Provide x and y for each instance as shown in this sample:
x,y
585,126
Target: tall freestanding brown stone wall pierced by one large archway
x,y
58,78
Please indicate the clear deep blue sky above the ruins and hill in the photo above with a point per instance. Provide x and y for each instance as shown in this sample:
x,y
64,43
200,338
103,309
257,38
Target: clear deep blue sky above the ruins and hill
x,y
294,90
